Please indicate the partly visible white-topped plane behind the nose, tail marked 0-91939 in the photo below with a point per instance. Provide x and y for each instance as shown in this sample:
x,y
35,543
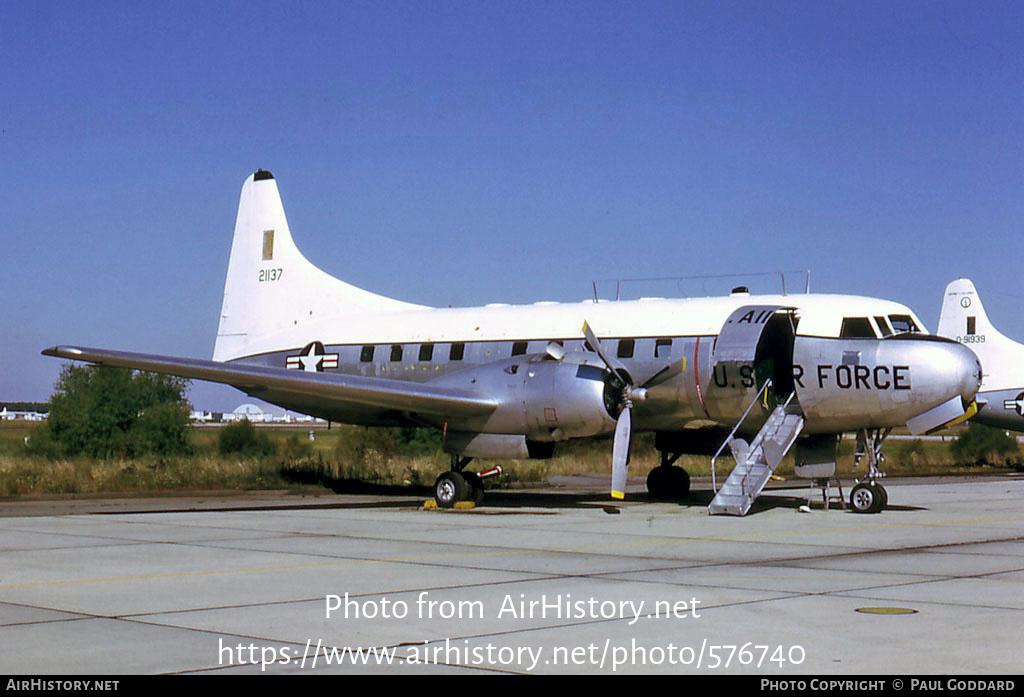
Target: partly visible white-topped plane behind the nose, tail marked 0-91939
x,y
1001,399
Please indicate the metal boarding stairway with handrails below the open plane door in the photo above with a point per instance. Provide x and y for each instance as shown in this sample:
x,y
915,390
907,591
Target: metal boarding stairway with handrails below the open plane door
x,y
756,461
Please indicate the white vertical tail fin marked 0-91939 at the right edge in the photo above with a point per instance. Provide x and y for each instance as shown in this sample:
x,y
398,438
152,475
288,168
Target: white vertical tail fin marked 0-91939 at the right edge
x,y
963,318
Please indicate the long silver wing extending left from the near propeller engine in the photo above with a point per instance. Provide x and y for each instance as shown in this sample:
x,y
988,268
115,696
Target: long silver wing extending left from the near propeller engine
x,y
332,393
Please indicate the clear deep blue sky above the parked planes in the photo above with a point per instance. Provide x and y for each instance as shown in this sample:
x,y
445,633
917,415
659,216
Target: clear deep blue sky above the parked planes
x,y
466,153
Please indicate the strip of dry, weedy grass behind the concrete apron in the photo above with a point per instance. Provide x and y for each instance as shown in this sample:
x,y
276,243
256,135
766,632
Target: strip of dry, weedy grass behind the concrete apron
x,y
345,455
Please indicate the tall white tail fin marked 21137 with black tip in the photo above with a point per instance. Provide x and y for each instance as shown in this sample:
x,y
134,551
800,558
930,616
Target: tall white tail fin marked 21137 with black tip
x,y
271,287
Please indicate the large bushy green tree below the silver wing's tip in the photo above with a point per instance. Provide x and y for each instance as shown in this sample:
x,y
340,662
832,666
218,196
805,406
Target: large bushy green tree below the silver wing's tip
x,y
111,412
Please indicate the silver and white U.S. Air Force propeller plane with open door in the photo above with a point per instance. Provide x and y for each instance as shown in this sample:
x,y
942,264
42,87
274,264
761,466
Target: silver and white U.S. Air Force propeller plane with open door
x,y
513,382
